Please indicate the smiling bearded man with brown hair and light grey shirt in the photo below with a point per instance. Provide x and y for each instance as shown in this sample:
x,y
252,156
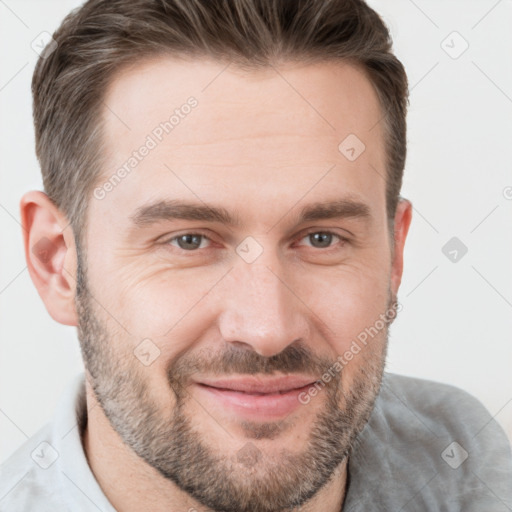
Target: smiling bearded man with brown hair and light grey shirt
x,y
222,222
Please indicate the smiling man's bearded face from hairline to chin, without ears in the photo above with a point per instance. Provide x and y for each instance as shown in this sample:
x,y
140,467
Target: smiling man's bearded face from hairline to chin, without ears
x,y
186,321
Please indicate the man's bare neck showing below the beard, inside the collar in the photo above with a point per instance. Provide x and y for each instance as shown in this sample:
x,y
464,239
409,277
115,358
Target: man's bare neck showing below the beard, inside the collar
x,y
131,484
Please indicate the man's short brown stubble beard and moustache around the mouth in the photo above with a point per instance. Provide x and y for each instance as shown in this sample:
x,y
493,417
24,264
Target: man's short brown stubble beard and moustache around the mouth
x,y
250,479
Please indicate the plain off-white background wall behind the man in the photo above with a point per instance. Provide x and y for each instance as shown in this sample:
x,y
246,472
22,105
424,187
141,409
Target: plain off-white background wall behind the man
x,y
457,316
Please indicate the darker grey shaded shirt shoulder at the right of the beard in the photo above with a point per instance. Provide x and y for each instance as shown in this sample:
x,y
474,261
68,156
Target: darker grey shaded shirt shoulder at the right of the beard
x,y
430,446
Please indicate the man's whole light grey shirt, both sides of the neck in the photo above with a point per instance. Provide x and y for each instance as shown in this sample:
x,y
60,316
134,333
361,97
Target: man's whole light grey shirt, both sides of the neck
x,y
427,447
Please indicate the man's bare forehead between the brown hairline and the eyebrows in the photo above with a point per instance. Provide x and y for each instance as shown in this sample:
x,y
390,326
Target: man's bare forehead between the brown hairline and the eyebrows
x,y
268,134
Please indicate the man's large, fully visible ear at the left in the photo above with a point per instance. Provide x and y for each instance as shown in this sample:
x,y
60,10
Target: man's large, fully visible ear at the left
x,y
51,255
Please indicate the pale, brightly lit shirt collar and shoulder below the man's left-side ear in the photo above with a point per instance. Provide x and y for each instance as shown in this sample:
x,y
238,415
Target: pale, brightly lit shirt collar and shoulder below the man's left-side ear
x,y
50,470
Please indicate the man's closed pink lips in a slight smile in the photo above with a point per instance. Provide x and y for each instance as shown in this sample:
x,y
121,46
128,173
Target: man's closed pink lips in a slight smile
x,y
256,398
